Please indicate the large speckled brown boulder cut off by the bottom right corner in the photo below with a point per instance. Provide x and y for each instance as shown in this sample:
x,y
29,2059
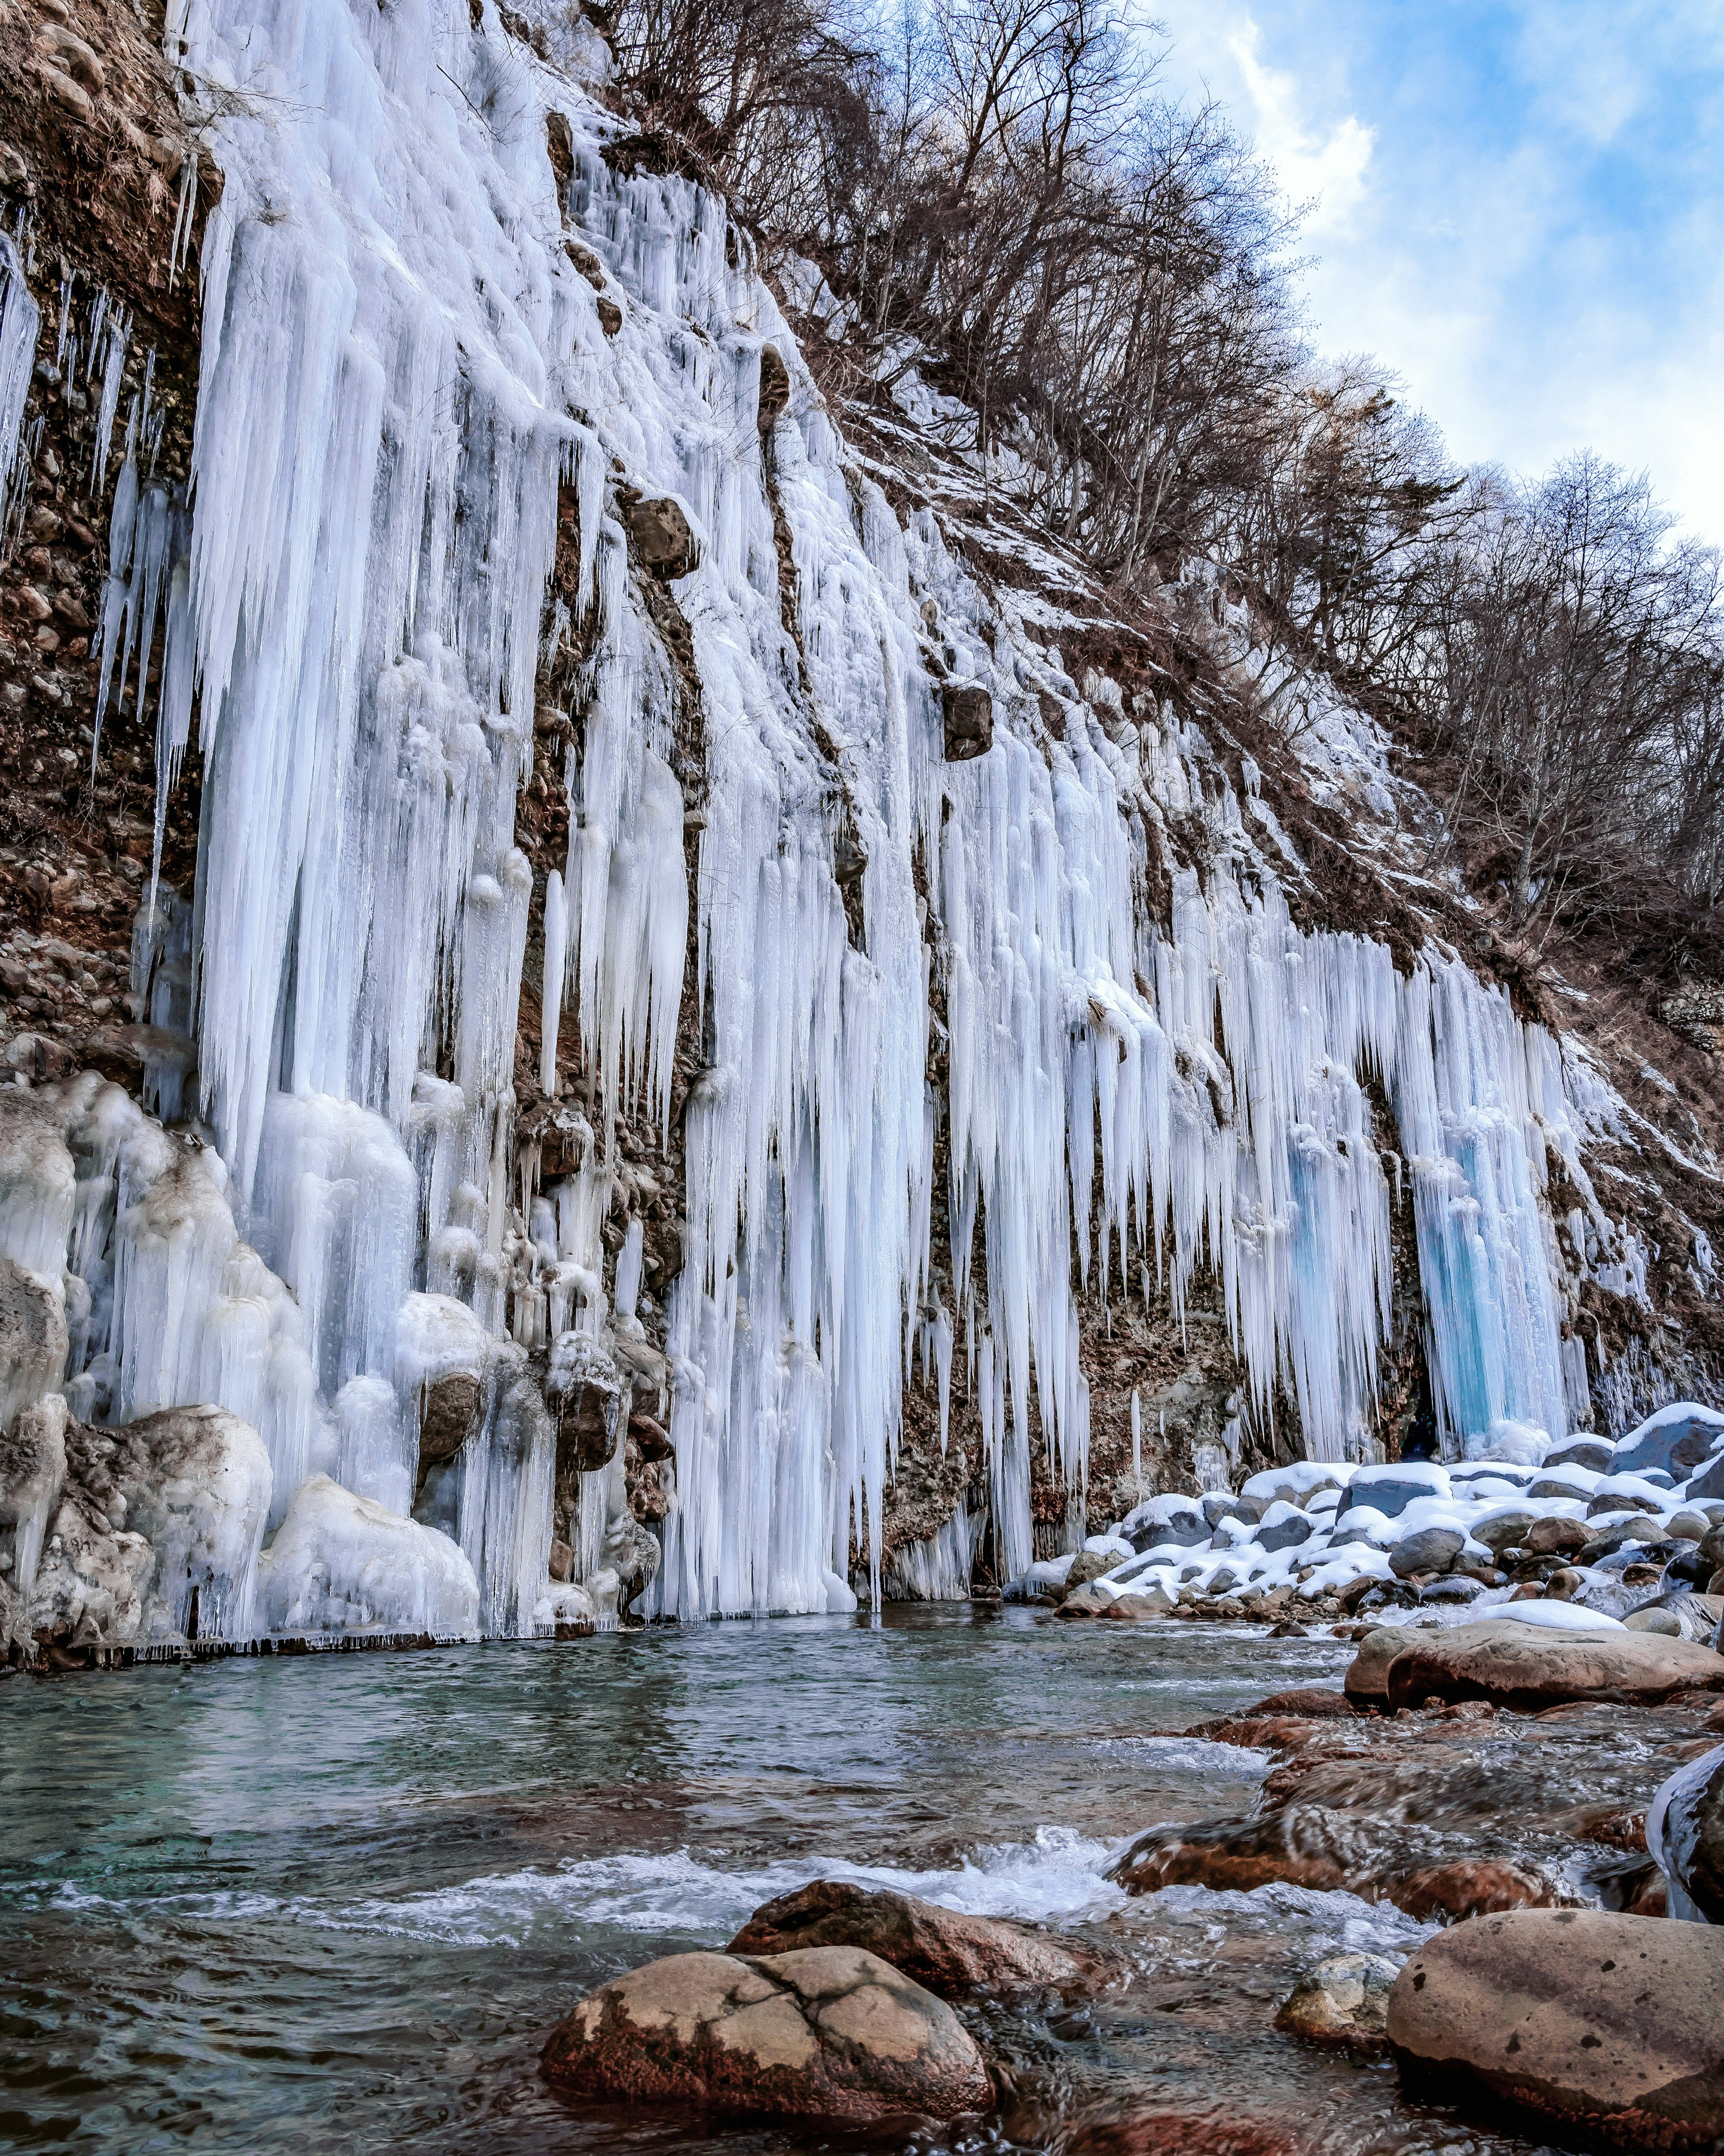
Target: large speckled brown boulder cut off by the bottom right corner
x,y
1600,2026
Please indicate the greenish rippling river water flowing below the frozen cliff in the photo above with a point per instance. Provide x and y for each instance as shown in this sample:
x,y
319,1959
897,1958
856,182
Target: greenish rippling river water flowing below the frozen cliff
x,y
333,1905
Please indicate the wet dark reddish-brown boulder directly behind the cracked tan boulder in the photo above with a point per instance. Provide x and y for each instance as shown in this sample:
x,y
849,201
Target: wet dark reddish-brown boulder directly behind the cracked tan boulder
x,y
941,1948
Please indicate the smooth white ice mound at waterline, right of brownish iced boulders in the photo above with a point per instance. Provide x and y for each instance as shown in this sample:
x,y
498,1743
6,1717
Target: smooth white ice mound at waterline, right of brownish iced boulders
x,y
344,1564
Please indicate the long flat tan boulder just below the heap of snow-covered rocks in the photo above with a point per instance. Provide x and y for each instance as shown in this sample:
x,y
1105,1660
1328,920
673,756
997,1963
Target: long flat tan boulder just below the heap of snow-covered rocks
x,y
1531,1666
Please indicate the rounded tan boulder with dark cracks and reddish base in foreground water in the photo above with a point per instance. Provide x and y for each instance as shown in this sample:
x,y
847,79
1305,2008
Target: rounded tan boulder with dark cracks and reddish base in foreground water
x,y
822,2032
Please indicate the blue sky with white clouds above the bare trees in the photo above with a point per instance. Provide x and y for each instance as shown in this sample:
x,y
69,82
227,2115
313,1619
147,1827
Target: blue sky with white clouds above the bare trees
x,y
1514,204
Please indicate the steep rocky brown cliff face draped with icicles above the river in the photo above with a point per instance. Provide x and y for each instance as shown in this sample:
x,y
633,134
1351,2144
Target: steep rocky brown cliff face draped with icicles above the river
x,y
641,980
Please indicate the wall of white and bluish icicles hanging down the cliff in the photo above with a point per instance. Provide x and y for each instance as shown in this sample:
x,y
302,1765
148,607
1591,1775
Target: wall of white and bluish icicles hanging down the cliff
x,y
404,381
